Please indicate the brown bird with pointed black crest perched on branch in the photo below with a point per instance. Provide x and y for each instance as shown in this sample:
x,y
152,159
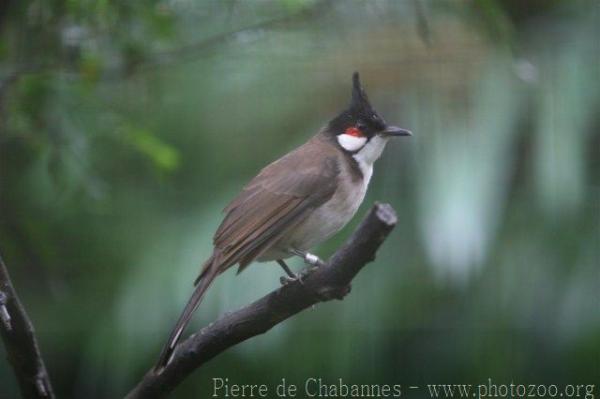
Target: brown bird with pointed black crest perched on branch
x,y
296,202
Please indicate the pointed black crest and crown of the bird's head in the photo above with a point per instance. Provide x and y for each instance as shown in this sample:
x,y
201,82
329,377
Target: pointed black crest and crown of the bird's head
x,y
359,112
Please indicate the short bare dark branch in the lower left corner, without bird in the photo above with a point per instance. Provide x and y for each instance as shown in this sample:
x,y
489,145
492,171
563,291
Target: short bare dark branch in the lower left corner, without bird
x,y
20,342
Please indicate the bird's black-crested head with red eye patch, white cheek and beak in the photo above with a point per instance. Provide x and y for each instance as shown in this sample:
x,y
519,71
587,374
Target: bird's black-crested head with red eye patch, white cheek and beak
x,y
360,128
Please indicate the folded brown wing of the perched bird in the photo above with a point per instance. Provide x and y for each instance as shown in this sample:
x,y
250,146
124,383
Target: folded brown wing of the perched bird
x,y
275,201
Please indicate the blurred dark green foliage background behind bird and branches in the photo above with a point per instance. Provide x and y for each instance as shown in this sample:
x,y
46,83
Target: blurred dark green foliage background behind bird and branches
x,y
126,127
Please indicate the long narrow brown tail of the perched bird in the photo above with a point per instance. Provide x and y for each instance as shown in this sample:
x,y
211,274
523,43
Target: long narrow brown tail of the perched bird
x,y
209,272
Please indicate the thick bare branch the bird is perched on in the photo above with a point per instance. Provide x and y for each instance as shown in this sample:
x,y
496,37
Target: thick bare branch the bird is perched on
x,y
328,282
